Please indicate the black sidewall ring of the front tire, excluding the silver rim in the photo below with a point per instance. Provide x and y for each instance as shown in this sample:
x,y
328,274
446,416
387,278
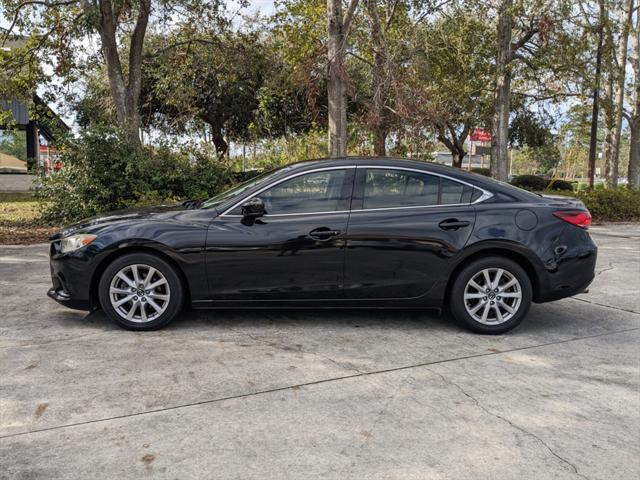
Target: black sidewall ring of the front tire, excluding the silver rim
x,y
175,302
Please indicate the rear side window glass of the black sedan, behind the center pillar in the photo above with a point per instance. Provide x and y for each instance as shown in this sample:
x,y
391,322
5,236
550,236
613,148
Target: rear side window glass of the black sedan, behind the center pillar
x,y
402,188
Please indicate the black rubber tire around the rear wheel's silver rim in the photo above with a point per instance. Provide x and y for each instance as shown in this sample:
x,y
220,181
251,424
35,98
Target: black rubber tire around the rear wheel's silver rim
x,y
456,301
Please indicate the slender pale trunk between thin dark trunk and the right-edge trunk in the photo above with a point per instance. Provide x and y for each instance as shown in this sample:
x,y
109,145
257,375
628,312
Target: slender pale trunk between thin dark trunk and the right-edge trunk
x,y
623,42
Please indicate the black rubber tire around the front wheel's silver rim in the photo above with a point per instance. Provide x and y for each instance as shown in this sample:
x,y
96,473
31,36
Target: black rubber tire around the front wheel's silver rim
x,y
174,290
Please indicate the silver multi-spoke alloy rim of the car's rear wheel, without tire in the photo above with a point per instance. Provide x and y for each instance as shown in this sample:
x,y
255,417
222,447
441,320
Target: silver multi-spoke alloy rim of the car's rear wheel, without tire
x,y
492,296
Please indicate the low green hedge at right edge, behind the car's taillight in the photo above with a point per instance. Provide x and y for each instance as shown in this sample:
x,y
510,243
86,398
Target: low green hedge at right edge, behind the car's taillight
x,y
612,204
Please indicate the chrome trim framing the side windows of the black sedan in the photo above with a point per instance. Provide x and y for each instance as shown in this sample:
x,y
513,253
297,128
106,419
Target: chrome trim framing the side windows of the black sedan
x,y
485,194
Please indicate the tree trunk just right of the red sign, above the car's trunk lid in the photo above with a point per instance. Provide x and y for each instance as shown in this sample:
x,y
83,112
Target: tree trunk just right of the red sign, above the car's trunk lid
x,y
502,95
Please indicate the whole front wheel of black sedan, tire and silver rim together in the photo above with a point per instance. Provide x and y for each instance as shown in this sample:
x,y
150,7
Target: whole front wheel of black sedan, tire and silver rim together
x,y
141,291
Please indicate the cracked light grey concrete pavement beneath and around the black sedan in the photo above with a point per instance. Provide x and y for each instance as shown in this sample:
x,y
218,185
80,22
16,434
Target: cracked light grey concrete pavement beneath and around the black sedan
x,y
399,394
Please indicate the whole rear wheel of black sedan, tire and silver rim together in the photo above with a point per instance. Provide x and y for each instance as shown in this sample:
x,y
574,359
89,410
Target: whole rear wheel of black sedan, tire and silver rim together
x,y
491,295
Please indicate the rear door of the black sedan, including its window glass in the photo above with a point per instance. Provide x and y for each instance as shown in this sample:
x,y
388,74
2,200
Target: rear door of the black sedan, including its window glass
x,y
404,227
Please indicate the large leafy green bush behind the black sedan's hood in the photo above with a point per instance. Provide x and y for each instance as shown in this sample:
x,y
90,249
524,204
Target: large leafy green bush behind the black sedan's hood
x,y
103,172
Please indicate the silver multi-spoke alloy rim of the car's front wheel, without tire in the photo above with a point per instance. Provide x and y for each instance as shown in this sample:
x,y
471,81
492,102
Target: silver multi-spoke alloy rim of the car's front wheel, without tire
x,y
139,293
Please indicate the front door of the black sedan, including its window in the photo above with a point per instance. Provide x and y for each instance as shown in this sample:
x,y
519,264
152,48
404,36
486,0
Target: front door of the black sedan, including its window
x,y
294,251
